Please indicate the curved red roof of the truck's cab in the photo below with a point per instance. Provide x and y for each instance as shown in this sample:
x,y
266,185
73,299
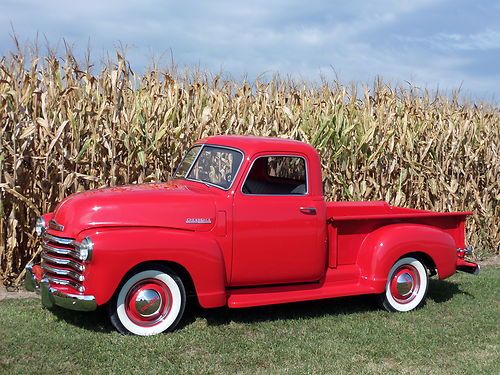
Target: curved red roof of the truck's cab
x,y
251,144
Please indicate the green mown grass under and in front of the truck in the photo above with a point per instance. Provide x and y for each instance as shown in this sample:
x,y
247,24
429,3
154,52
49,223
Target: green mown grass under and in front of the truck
x,y
457,332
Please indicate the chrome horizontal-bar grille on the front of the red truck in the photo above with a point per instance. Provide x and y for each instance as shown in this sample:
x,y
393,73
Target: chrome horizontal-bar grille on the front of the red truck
x,y
61,261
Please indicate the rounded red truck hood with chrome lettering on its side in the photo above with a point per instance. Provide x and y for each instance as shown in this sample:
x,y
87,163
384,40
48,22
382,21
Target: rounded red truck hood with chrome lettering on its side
x,y
168,205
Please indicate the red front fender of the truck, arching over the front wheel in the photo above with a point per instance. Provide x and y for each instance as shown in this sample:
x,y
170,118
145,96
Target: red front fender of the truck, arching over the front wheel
x,y
118,250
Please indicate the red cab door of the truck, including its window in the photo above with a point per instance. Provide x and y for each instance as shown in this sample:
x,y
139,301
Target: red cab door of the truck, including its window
x,y
276,225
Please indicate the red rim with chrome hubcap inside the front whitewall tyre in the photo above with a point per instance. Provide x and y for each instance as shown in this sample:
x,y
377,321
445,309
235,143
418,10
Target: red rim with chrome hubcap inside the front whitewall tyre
x,y
148,302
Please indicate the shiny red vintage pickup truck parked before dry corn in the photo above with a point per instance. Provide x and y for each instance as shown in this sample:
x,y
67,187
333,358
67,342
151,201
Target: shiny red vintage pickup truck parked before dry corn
x,y
242,223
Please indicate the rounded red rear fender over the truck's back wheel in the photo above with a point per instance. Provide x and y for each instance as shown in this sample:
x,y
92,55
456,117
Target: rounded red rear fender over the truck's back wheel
x,y
383,247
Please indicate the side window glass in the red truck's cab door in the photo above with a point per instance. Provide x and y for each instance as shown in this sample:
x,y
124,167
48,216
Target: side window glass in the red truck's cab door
x,y
277,175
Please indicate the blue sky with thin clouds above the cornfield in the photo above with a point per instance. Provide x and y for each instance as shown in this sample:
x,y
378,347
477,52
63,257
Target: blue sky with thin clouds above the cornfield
x,y
443,44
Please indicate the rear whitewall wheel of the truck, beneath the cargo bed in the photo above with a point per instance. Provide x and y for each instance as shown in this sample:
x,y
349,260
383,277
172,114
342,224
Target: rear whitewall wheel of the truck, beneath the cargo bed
x,y
406,286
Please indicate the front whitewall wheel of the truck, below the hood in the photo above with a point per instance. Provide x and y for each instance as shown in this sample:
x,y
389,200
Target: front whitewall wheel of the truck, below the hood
x,y
149,302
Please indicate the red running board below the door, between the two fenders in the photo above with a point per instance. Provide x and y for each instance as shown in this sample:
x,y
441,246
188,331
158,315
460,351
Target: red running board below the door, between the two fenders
x,y
261,296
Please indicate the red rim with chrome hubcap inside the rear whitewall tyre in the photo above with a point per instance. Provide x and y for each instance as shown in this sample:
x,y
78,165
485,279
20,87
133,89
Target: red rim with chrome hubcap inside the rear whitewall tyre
x,y
405,284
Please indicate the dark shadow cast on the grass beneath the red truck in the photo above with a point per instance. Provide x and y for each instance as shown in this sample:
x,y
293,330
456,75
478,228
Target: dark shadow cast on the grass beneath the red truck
x,y
98,321
